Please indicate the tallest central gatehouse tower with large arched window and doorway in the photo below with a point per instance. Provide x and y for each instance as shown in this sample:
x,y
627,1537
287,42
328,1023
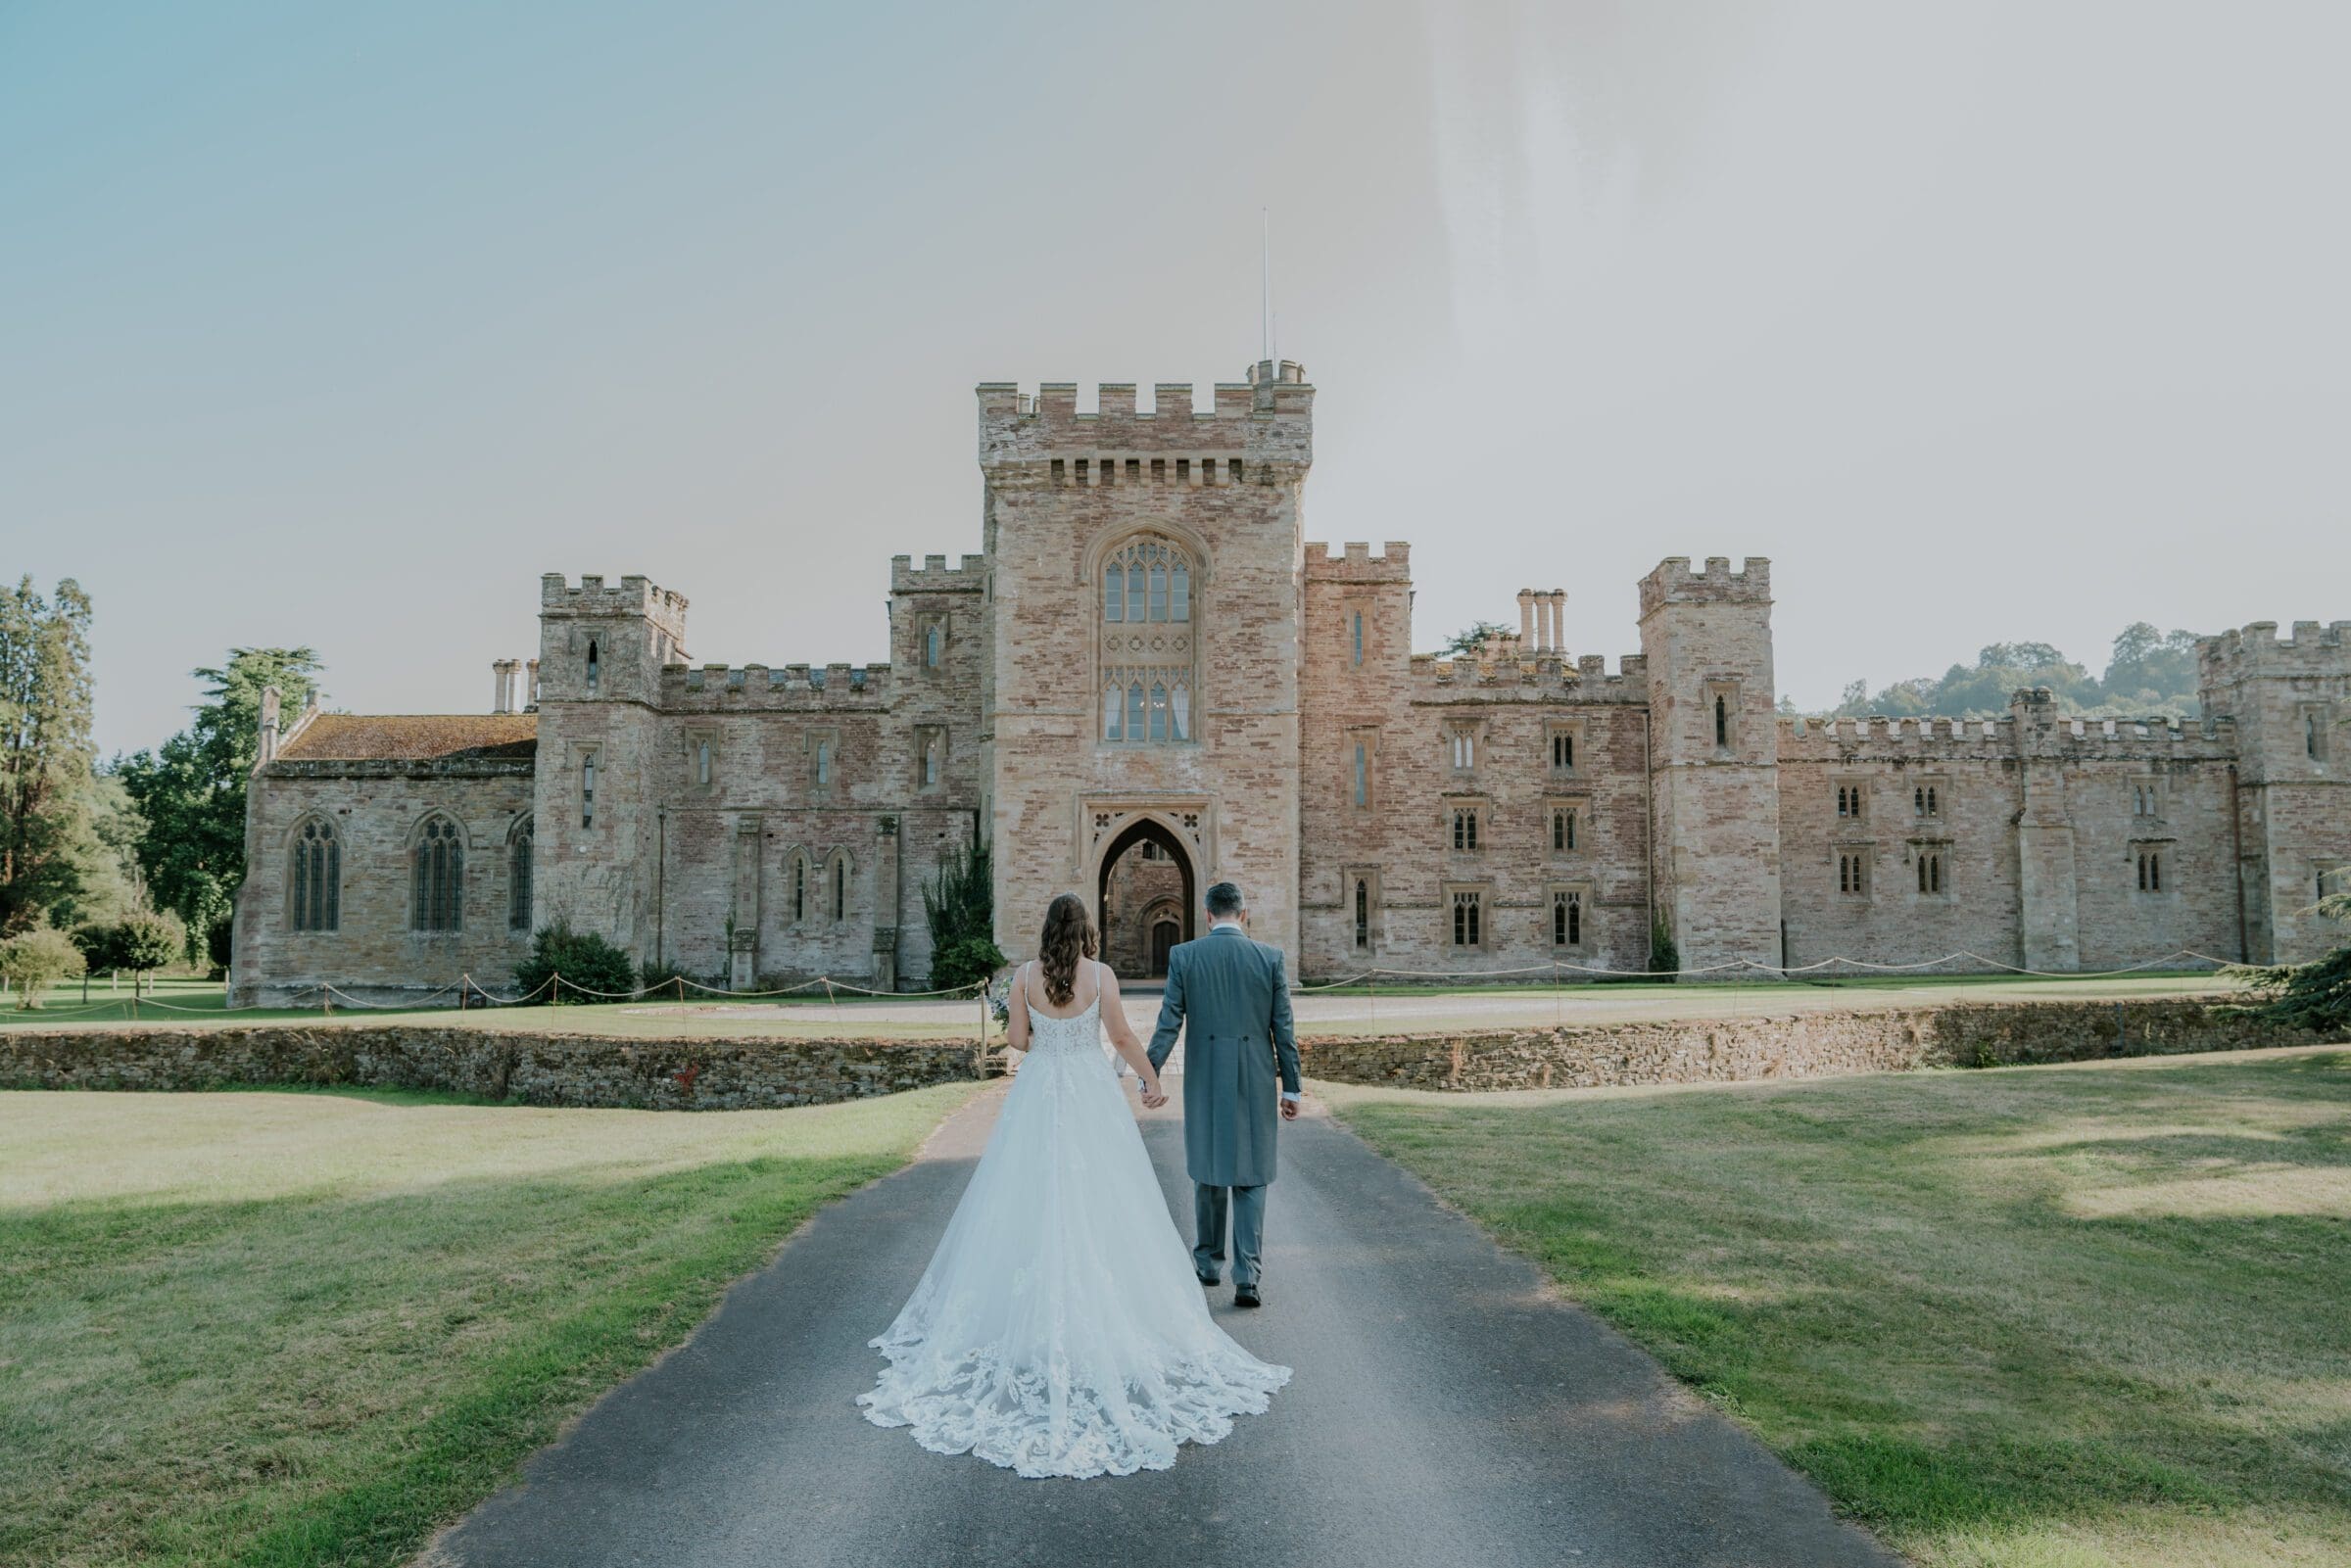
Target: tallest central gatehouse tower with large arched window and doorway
x,y
1144,641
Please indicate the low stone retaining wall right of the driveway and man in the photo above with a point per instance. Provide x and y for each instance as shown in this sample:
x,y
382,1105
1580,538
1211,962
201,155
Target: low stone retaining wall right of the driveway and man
x,y
1790,1045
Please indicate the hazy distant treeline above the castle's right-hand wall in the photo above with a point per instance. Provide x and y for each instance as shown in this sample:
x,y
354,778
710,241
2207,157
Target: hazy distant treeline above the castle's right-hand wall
x,y
2150,674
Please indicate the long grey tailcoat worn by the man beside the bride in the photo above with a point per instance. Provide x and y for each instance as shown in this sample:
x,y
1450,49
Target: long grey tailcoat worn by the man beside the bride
x,y
1233,1003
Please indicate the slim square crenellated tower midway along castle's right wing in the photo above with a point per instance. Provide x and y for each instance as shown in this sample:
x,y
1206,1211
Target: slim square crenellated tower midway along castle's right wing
x,y
1715,758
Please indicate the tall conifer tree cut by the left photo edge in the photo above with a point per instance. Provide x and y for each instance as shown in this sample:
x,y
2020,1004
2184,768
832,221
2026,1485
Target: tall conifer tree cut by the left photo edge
x,y
46,751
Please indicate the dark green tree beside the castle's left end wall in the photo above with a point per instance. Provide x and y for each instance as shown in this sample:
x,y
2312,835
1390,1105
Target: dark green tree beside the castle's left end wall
x,y
192,791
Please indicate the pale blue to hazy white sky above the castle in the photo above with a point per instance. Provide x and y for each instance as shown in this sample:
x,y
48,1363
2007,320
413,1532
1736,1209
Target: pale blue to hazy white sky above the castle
x,y
340,326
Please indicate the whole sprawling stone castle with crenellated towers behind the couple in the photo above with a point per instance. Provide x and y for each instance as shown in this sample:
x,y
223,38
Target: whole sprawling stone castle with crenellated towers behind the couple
x,y
1148,681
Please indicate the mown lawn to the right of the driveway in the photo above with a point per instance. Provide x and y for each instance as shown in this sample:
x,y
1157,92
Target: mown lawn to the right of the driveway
x,y
2039,1318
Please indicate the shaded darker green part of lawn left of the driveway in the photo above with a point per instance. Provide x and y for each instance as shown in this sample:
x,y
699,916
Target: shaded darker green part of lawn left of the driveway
x,y
326,1381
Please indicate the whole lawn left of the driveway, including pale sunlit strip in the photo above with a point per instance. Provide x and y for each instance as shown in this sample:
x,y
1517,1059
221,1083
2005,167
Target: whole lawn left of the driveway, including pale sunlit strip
x,y
304,1329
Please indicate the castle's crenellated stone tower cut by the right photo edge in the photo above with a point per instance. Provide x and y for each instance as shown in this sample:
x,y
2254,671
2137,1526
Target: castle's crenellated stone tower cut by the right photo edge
x,y
2293,728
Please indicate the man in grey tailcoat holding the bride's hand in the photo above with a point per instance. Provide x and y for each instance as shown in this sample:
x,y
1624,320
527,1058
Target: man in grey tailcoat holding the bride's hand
x,y
1231,998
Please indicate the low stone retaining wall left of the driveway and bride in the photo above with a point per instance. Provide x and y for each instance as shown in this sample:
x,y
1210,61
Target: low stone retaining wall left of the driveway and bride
x,y
497,1064
